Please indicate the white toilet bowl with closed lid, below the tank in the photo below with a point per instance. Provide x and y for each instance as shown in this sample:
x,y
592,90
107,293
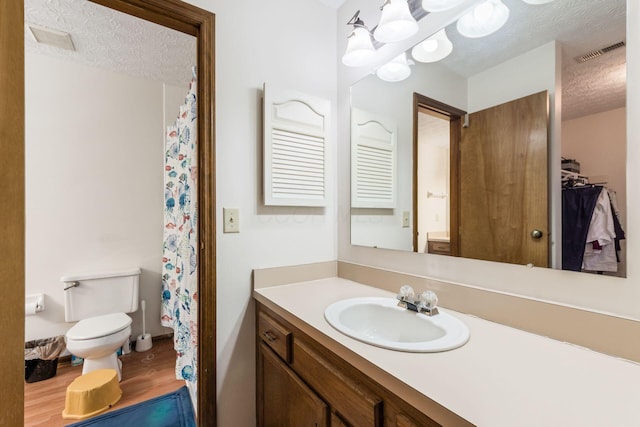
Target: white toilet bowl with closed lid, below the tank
x,y
96,340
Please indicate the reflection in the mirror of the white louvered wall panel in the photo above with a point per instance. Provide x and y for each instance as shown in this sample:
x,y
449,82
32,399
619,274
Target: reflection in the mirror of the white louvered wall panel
x,y
373,160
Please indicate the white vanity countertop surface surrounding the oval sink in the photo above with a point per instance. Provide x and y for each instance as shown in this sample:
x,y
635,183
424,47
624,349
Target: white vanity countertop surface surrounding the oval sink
x,y
501,377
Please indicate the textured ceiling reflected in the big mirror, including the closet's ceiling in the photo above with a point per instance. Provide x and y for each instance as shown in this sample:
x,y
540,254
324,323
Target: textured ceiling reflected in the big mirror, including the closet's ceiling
x,y
580,26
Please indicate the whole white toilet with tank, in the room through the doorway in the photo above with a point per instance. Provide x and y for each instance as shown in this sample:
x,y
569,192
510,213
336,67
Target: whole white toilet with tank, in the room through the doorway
x,y
99,303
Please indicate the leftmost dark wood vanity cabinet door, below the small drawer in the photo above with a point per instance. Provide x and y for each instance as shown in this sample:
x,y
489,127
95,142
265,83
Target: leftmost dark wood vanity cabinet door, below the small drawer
x,y
285,400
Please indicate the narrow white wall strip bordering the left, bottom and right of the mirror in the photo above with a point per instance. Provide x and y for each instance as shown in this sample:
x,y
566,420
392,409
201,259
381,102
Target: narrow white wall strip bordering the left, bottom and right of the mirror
x,y
602,294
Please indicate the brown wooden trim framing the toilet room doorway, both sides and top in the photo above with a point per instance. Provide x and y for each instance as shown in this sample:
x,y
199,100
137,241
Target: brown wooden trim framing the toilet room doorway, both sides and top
x,y
173,14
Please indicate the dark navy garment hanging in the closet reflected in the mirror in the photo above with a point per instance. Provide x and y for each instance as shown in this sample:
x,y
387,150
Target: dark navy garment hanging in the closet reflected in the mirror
x,y
578,204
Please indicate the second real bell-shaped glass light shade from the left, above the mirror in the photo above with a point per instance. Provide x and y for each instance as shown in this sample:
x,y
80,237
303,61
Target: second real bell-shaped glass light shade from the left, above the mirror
x,y
396,22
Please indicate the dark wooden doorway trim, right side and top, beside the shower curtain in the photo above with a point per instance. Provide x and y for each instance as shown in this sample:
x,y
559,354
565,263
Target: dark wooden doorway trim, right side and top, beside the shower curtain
x,y
199,23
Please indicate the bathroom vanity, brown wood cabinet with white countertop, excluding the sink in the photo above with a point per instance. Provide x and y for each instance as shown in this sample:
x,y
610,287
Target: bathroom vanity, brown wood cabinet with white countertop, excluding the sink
x,y
501,377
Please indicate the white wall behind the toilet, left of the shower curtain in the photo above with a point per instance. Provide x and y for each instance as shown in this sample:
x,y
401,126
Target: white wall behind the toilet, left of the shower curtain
x,y
94,183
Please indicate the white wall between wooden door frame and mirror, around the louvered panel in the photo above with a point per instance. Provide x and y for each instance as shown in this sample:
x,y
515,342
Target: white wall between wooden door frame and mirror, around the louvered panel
x,y
291,44
